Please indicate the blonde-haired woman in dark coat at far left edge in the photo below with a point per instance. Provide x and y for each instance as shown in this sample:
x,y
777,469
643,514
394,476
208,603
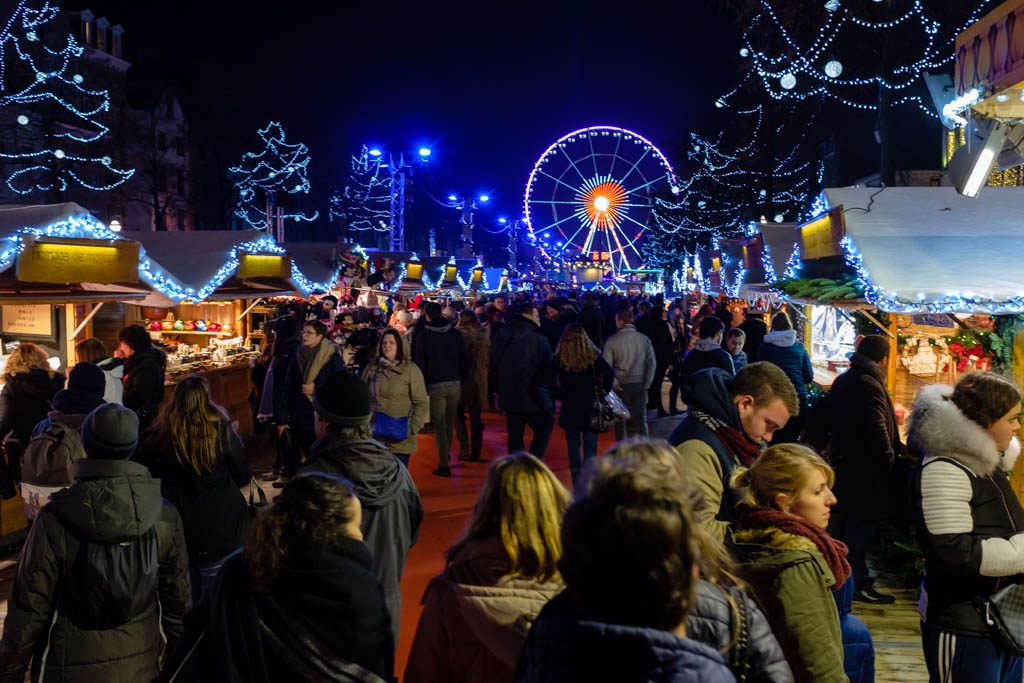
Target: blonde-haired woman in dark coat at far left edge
x,y
29,387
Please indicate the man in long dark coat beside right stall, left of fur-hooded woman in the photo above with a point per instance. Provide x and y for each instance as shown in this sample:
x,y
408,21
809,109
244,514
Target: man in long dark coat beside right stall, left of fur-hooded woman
x,y
864,447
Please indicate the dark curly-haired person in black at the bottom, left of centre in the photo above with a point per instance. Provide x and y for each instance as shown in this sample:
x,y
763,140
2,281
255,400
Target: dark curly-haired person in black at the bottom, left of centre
x,y
301,600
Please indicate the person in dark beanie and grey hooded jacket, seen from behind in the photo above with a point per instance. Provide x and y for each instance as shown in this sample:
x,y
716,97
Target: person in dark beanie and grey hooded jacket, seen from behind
x,y
392,508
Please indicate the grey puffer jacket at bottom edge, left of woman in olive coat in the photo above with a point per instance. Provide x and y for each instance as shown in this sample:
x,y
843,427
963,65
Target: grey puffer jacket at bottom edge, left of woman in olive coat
x,y
713,623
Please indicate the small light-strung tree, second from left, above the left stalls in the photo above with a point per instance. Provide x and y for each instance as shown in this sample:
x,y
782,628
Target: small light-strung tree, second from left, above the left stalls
x,y
279,168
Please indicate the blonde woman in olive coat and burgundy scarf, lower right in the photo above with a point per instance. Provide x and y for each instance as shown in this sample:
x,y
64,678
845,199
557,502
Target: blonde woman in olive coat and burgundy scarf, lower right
x,y
788,558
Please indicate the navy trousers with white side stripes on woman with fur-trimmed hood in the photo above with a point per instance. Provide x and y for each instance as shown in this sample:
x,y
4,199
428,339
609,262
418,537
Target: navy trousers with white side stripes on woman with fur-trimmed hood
x,y
955,659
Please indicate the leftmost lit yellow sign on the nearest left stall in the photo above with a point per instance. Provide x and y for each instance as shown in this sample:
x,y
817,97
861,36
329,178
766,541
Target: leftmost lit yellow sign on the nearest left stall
x,y
56,261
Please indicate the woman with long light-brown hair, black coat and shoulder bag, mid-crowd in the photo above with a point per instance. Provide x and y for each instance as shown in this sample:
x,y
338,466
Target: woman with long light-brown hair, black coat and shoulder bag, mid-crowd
x,y
582,373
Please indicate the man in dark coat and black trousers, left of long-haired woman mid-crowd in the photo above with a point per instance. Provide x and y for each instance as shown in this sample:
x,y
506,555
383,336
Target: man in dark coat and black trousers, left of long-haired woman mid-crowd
x,y
525,367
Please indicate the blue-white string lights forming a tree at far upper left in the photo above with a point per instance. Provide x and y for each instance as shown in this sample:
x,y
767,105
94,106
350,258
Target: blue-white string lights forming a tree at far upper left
x,y
54,169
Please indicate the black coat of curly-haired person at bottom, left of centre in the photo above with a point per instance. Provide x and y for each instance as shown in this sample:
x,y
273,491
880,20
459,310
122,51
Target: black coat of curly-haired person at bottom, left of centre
x,y
330,602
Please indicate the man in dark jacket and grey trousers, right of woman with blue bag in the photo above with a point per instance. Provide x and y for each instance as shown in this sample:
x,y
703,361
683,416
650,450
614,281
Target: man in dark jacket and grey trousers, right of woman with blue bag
x,y
441,355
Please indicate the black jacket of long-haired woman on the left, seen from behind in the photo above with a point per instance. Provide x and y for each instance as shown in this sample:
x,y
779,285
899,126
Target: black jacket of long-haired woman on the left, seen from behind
x,y
214,511
